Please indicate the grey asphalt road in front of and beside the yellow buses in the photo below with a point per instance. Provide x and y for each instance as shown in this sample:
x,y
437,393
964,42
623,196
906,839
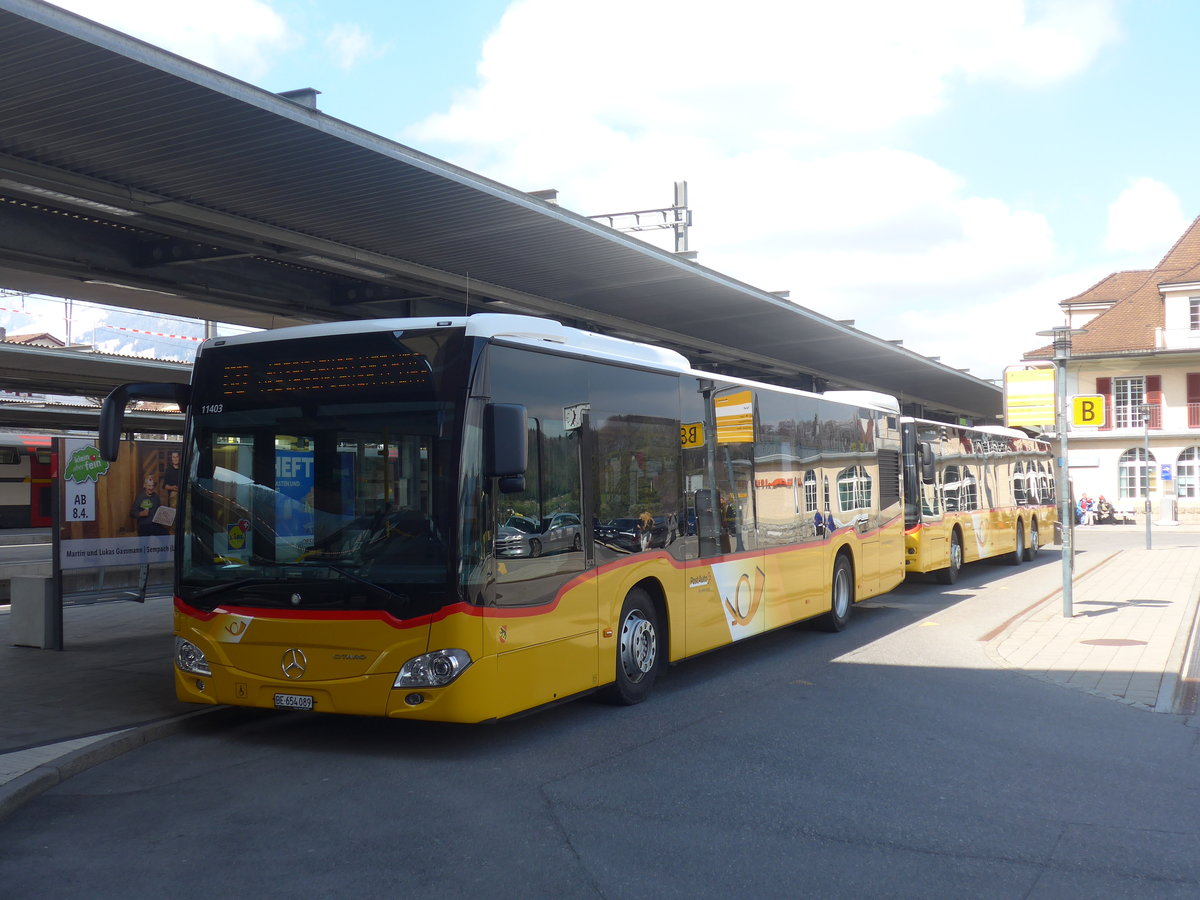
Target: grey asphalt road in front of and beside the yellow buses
x,y
893,760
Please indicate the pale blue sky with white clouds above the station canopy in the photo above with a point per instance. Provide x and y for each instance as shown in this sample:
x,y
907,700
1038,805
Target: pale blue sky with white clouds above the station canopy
x,y
941,172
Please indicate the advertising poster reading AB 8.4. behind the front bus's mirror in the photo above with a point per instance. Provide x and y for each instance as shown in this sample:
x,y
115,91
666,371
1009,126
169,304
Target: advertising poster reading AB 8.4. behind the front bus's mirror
x,y
118,514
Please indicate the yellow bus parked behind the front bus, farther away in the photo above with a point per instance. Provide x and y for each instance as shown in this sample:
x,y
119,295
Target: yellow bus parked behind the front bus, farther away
x,y
974,494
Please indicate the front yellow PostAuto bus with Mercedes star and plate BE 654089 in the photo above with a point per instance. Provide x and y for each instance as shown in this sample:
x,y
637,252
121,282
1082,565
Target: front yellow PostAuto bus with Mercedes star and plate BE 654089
x,y
465,519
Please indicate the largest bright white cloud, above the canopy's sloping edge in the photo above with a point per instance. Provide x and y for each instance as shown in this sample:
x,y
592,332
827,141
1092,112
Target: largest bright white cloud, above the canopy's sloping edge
x,y
784,119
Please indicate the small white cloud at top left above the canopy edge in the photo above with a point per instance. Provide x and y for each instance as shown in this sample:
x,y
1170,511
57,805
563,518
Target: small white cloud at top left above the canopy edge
x,y
241,38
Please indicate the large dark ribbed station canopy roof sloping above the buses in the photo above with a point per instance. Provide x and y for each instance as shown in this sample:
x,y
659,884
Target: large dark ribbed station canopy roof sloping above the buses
x,y
136,178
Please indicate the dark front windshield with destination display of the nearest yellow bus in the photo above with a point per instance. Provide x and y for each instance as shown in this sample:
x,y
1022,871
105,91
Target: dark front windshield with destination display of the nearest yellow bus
x,y
322,477
